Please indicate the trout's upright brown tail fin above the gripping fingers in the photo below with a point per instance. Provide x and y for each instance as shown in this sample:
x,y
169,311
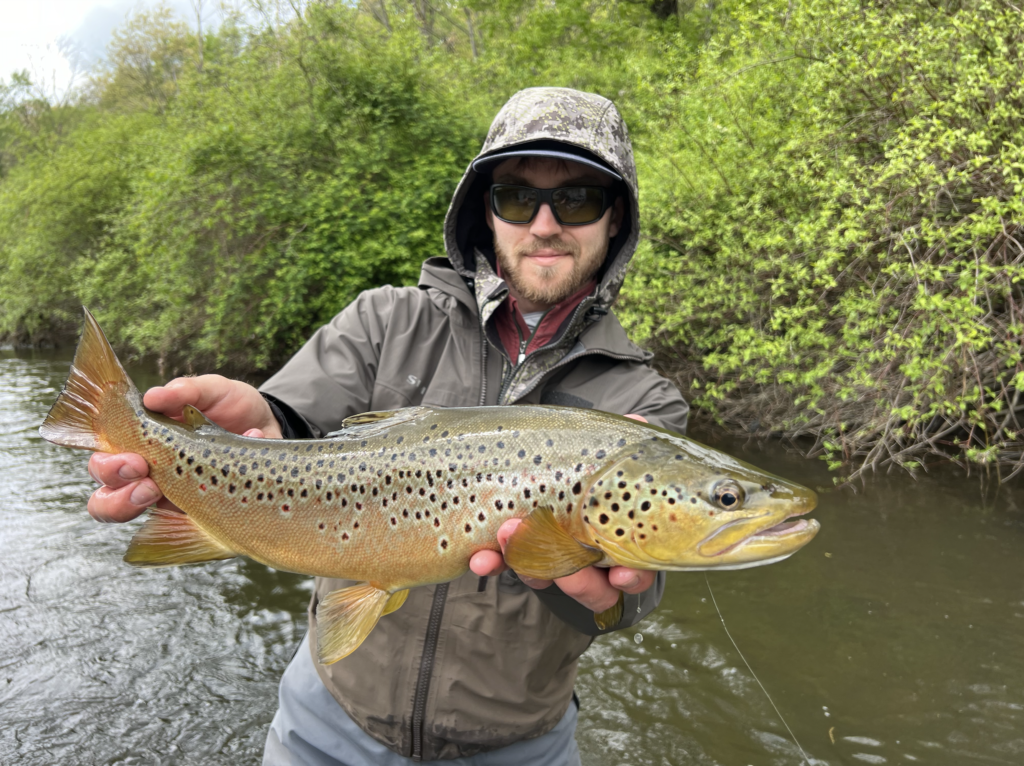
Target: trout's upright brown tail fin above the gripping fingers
x,y
96,374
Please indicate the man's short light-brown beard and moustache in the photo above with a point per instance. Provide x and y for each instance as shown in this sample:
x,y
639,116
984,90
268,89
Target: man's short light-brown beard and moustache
x,y
549,285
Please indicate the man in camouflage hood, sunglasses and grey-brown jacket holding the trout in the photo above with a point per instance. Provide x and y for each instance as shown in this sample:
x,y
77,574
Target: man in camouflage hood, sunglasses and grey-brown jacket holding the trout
x,y
539,236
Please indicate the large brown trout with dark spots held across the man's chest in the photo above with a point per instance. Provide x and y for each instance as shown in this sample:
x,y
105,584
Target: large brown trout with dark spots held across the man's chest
x,y
402,499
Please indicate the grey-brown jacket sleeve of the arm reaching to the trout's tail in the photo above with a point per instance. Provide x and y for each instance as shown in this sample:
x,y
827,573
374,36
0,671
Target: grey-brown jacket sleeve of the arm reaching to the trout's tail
x,y
332,376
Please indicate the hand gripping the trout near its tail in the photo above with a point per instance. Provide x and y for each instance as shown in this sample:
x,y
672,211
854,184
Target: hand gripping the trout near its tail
x,y
126,489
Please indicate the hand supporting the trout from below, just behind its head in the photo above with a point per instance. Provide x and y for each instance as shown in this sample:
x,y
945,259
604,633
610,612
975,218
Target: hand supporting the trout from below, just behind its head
x,y
594,588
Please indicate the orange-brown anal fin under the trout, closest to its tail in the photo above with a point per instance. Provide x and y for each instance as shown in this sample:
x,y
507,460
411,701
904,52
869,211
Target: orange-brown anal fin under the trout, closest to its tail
x,y
170,539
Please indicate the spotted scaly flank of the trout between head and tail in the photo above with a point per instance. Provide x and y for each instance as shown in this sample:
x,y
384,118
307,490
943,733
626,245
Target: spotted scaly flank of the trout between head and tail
x,y
406,507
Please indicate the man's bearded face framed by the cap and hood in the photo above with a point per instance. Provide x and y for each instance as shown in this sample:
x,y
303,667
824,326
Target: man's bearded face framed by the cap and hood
x,y
544,263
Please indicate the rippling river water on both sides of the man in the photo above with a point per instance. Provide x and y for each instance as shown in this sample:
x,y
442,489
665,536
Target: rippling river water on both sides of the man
x,y
897,637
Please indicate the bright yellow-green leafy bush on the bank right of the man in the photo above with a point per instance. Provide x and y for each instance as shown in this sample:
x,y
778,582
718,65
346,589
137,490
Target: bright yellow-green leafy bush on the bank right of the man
x,y
834,228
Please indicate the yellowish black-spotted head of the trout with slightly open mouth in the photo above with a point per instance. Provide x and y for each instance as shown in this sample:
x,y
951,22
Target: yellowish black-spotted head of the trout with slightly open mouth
x,y
670,503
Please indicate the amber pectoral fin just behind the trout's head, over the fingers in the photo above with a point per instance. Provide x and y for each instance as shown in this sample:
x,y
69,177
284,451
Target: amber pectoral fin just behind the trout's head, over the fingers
x,y
541,548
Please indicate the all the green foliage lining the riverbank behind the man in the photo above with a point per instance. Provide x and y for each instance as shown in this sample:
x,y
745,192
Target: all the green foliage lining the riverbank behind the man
x,y
831,192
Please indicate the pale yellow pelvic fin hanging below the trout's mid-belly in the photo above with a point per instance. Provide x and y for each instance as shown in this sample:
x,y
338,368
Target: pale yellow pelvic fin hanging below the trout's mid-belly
x,y
345,619
